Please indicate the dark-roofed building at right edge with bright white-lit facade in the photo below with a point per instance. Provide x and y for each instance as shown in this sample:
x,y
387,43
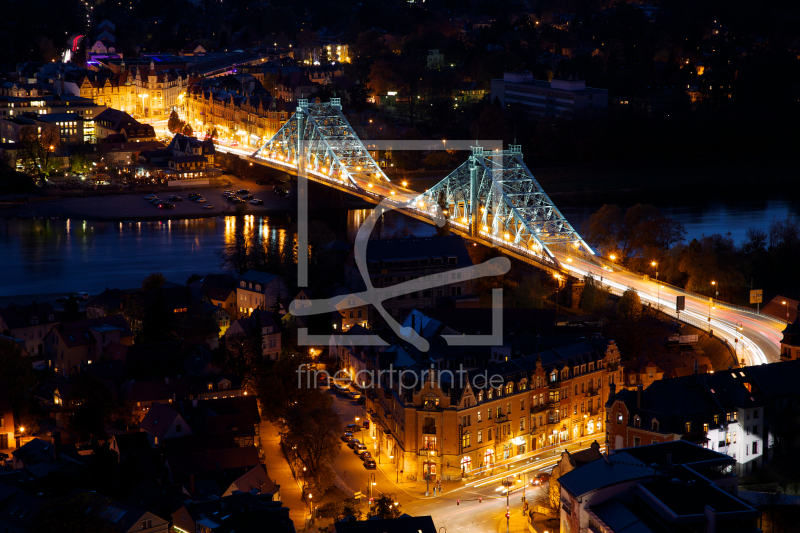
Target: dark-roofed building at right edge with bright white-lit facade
x,y
743,412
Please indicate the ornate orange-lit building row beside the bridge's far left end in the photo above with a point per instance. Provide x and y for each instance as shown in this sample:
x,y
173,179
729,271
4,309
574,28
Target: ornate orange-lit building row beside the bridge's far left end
x,y
247,119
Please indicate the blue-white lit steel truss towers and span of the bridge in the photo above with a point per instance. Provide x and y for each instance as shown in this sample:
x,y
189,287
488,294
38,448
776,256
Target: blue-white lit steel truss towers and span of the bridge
x,y
492,197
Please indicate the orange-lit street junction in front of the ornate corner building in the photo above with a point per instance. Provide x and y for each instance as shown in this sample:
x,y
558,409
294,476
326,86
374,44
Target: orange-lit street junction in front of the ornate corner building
x,y
469,506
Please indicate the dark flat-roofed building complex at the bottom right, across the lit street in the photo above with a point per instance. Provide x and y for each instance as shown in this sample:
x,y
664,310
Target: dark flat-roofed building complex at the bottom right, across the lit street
x,y
660,487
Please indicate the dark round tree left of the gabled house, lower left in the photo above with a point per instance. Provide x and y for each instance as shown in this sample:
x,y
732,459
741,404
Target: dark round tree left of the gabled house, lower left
x,y
89,407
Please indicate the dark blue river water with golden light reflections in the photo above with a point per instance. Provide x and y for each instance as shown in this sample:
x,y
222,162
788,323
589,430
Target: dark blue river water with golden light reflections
x,y
51,256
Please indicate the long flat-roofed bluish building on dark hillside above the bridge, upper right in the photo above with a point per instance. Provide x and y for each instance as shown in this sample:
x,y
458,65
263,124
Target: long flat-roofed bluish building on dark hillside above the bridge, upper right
x,y
558,98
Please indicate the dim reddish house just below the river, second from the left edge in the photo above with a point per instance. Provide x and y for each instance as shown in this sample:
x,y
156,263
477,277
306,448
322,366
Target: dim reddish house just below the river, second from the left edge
x,y
78,343
